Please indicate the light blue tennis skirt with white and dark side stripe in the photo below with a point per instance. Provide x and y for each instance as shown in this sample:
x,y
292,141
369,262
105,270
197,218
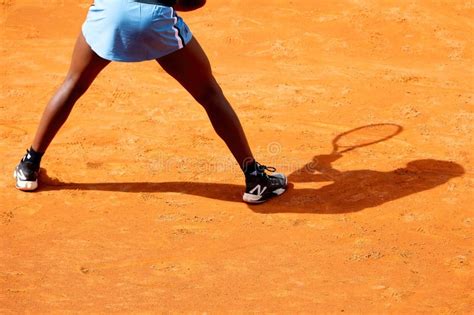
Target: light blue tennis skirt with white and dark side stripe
x,y
124,30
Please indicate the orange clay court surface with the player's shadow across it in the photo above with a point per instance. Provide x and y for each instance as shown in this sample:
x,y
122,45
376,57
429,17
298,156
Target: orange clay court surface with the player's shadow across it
x,y
140,205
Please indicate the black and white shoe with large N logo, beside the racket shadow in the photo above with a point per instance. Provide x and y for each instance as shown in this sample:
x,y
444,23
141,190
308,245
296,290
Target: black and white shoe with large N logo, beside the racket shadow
x,y
261,186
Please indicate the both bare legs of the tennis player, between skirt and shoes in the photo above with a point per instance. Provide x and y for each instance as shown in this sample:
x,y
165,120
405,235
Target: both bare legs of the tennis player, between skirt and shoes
x,y
190,66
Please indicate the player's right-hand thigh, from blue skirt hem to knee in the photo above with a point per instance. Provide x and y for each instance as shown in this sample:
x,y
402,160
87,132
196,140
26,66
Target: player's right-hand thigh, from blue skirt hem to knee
x,y
190,67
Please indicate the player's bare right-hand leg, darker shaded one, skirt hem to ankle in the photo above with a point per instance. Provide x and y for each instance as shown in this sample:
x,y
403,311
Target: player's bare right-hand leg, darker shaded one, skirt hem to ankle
x,y
191,68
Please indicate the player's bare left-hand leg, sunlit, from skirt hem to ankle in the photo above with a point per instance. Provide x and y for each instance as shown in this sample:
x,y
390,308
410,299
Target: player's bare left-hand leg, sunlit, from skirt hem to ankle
x,y
85,66
